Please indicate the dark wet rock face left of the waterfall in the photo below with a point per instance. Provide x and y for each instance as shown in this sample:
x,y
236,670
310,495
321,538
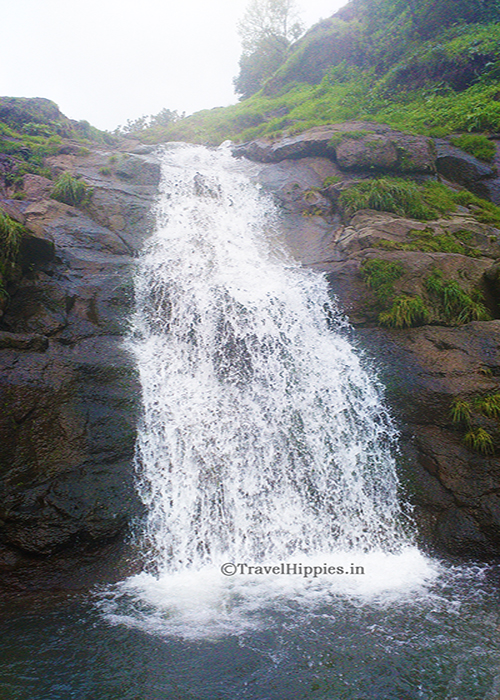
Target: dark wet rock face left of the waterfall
x,y
69,387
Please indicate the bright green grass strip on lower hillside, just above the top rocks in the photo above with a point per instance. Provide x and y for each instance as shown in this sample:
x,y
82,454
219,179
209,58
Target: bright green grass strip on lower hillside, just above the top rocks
x,y
348,92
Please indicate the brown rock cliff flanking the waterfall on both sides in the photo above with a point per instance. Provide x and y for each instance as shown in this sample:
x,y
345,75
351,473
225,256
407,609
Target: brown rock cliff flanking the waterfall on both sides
x,y
69,387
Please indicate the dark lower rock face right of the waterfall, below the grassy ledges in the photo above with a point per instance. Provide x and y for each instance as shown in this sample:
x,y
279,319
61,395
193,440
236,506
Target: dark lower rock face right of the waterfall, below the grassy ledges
x,y
455,490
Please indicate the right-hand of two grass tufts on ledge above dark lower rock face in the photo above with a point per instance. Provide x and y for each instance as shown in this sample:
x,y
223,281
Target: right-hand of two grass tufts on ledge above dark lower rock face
x,y
455,304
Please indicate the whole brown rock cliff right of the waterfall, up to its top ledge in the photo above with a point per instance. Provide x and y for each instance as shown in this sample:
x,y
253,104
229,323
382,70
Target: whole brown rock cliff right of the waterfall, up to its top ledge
x,y
453,484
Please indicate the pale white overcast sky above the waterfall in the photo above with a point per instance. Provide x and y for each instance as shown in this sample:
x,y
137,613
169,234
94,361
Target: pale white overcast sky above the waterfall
x,y
112,60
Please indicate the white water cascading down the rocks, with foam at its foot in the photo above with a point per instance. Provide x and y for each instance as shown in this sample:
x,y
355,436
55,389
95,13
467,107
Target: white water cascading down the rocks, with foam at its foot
x,y
263,439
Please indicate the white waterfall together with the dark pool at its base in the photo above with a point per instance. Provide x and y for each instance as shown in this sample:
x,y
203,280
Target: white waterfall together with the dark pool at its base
x,y
278,563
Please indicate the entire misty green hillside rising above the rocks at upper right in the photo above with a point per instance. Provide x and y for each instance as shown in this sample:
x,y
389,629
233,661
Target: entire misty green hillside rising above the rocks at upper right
x,y
429,68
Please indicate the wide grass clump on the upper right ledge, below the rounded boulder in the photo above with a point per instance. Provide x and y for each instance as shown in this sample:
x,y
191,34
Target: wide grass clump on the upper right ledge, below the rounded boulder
x,y
402,197
